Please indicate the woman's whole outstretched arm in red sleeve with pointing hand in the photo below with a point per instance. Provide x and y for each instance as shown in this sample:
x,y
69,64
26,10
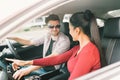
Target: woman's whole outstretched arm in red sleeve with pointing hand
x,y
49,61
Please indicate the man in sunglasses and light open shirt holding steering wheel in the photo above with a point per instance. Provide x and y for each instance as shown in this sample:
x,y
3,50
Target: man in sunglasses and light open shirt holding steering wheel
x,y
55,43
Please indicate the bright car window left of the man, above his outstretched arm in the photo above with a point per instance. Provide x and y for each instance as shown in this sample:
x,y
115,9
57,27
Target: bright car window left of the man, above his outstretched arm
x,y
34,28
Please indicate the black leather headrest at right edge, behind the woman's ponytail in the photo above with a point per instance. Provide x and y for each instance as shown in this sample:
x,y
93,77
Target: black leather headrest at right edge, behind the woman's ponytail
x,y
112,28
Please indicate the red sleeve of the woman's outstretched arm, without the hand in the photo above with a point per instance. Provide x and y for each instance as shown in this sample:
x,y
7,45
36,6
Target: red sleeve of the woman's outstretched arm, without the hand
x,y
54,60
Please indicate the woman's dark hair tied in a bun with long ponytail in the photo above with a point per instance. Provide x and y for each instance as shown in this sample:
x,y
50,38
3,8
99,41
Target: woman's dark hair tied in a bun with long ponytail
x,y
87,21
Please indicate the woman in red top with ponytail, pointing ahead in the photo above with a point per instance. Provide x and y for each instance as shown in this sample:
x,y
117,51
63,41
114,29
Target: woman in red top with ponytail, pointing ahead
x,y
82,58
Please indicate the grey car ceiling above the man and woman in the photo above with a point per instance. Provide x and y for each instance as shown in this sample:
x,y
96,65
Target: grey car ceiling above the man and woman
x,y
98,7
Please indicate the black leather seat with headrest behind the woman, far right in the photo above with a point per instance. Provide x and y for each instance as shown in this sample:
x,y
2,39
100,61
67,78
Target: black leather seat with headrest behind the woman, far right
x,y
111,40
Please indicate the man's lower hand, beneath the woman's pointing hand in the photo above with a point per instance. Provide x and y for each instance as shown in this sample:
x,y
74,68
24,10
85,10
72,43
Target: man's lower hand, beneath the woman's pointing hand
x,y
20,73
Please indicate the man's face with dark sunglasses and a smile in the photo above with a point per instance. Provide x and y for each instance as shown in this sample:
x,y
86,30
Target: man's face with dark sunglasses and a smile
x,y
54,27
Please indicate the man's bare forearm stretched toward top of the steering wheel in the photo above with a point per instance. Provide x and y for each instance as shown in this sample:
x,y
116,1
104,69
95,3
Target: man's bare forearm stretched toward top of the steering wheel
x,y
21,41
